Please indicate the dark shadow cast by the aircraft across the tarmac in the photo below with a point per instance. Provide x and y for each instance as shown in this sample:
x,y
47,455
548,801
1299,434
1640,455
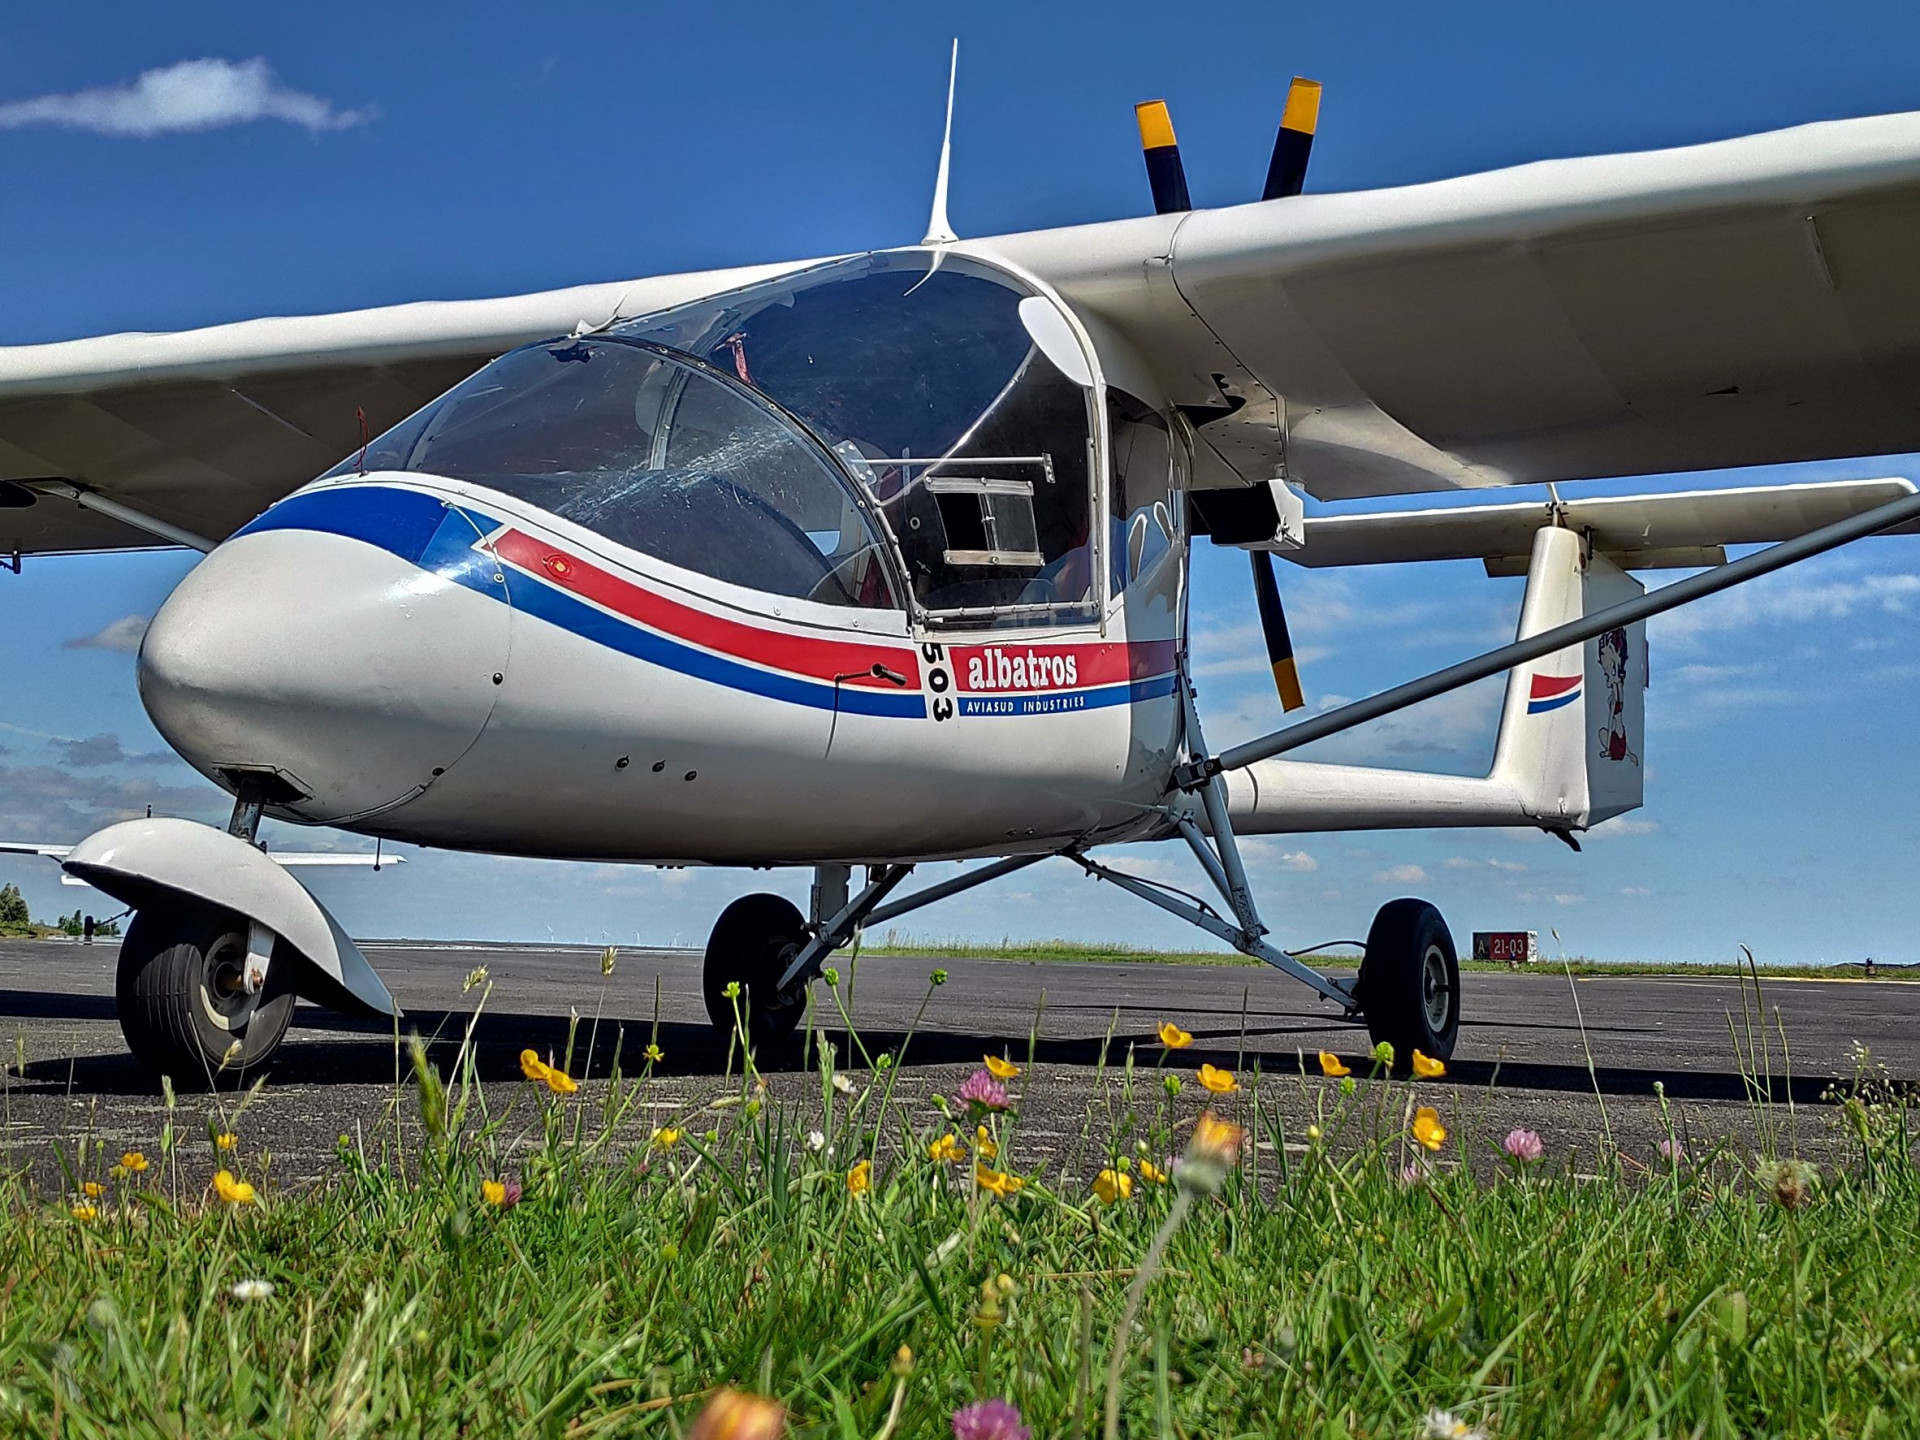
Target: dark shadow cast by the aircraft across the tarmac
x,y
327,1049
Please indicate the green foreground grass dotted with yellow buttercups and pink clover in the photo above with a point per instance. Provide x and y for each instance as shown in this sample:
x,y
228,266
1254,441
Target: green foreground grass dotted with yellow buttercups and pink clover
x,y
1320,1295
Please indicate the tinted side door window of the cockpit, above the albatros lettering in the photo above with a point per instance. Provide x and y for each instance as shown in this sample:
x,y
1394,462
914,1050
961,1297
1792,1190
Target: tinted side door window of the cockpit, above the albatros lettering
x,y
923,377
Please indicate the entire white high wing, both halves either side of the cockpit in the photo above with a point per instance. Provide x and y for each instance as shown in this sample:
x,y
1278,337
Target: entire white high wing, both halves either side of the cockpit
x,y
1729,304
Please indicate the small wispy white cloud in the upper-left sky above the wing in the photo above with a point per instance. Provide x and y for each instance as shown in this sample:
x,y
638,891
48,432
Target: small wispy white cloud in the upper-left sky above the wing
x,y
197,95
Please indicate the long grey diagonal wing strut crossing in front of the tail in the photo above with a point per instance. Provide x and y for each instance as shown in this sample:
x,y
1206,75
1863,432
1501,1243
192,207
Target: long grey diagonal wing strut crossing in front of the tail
x,y
1199,773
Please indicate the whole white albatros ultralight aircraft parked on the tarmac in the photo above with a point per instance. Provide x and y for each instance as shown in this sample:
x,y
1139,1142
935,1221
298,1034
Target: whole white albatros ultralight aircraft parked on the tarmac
x,y
882,560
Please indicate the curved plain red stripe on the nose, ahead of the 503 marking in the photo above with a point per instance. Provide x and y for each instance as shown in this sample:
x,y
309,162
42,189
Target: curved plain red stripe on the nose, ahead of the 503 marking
x,y
804,656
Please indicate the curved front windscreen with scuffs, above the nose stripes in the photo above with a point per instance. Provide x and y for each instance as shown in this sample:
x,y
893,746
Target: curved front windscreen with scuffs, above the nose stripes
x,y
660,454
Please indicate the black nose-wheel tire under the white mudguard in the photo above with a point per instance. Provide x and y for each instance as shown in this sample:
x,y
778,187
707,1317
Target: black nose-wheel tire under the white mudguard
x,y
180,1001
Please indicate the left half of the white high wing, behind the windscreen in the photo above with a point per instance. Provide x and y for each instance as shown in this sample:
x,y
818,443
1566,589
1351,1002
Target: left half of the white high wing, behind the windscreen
x,y
206,429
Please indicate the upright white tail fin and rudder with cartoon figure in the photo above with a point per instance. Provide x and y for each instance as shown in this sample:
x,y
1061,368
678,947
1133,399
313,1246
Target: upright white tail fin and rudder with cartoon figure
x,y
1573,723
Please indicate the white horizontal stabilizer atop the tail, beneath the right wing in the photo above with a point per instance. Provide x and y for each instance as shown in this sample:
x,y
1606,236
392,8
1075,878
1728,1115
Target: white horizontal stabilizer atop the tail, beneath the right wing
x,y
1637,533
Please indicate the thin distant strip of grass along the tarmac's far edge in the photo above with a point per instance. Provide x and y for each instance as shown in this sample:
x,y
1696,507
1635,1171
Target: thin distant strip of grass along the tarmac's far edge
x,y
900,944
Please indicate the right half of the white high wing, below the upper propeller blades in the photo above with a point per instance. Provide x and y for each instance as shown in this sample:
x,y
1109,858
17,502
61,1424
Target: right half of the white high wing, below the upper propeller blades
x,y
1727,304
